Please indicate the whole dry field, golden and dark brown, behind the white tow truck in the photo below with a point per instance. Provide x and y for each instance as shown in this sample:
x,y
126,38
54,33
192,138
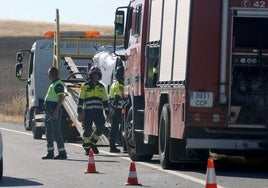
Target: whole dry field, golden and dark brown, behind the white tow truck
x,y
14,36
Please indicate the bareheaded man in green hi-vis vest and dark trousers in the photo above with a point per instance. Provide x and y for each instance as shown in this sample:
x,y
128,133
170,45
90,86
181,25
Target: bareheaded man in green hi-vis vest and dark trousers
x,y
53,103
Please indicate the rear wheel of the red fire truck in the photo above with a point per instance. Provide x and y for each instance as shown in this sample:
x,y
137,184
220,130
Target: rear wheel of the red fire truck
x,y
164,137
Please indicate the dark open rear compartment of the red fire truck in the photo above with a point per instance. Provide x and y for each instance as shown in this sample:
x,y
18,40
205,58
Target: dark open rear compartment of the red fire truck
x,y
249,67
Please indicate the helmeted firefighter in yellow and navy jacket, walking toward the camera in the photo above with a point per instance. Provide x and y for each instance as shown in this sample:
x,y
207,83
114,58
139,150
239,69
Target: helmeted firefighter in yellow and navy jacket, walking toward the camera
x,y
93,99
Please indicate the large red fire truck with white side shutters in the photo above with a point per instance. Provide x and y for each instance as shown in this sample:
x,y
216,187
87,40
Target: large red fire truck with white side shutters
x,y
196,78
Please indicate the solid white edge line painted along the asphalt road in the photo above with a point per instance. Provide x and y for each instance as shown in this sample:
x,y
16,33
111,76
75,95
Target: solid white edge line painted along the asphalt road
x,y
175,173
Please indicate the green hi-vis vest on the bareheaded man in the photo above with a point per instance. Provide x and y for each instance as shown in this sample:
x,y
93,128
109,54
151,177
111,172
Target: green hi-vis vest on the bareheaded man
x,y
55,89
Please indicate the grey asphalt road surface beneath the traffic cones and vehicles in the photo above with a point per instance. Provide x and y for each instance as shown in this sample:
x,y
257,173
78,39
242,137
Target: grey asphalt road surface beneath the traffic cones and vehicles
x,y
23,167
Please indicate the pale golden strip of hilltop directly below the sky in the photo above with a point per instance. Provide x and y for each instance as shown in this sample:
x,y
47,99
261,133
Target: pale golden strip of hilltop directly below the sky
x,y
15,28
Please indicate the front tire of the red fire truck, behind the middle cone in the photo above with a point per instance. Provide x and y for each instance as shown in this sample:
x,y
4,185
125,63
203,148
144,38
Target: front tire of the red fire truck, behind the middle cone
x,y
130,142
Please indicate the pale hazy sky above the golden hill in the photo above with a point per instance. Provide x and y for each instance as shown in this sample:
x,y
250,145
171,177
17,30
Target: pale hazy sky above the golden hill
x,y
93,12
